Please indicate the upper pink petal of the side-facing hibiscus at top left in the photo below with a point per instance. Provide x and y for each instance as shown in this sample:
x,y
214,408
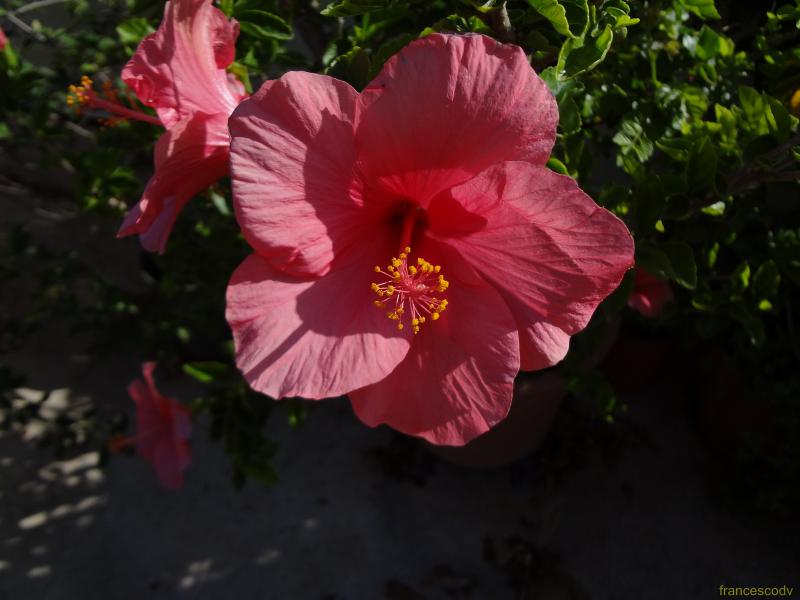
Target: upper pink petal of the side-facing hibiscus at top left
x,y
180,69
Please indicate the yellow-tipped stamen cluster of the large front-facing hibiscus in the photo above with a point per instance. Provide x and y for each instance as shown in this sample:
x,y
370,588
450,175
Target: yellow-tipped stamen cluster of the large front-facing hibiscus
x,y
410,290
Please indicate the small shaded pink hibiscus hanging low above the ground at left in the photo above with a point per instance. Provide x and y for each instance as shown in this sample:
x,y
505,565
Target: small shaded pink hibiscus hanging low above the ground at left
x,y
163,427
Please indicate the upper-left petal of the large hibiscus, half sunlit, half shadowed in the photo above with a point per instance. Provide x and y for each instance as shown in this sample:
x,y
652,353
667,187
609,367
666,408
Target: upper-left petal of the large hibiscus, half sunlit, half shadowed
x,y
292,160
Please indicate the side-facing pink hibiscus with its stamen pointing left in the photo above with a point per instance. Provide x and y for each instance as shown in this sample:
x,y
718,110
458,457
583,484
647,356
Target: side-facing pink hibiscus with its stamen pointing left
x,y
180,72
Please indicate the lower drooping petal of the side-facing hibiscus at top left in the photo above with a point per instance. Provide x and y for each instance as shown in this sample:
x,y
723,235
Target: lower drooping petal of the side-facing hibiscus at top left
x,y
189,157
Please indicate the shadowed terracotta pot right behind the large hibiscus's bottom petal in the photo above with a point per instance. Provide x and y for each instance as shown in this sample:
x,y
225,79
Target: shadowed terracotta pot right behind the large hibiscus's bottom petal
x,y
533,409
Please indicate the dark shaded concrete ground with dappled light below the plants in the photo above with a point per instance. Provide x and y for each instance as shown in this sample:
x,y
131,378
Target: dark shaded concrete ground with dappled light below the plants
x,y
359,513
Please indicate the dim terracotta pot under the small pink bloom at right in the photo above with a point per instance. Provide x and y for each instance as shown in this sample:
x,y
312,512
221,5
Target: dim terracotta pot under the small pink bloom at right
x,y
634,363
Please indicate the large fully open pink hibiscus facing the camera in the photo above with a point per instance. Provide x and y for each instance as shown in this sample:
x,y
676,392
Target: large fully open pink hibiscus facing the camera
x,y
436,170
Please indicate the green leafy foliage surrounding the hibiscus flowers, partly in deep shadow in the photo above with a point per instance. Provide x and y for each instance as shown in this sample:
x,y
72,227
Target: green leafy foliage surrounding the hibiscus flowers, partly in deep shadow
x,y
678,115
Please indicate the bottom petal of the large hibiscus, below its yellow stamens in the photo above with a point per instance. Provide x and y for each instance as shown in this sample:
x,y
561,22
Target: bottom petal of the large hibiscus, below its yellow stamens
x,y
457,380
